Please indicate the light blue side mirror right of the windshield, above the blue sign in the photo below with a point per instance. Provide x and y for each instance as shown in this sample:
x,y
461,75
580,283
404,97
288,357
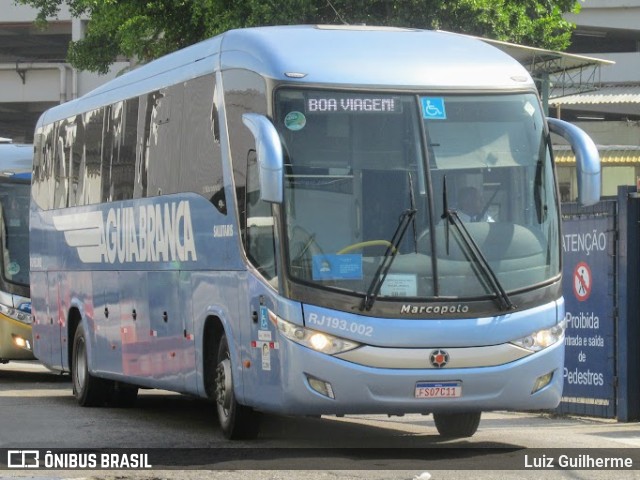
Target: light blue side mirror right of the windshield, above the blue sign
x,y
587,159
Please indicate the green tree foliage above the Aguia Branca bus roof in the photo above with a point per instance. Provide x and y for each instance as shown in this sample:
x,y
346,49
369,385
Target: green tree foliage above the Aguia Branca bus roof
x,y
147,29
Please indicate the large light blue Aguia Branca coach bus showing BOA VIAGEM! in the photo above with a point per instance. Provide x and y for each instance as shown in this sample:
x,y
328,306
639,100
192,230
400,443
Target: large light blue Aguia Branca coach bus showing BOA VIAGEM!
x,y
269,219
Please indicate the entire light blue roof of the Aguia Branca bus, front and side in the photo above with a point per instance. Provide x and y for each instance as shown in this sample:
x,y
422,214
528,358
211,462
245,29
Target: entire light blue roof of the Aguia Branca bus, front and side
x,y
340,56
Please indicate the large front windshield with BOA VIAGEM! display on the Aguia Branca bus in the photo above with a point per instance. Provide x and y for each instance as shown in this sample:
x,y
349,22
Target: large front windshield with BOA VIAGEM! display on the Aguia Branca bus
x,y
358,163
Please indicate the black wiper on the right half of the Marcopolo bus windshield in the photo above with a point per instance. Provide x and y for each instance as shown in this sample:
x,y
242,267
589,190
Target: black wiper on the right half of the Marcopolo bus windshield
x,y
451,217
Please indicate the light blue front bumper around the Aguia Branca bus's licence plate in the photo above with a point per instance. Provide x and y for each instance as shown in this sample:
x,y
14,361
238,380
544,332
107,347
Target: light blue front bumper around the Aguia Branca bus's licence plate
x,y
359,389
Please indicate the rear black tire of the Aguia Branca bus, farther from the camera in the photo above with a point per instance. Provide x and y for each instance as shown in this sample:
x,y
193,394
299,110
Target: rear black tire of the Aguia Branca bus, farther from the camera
x,y
89,391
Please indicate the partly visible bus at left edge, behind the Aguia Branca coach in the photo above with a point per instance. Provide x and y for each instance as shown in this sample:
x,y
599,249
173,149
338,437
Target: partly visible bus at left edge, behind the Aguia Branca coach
x,y
15,305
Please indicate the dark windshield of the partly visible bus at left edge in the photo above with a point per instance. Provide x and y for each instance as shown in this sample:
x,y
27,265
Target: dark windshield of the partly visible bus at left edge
x,y
14,210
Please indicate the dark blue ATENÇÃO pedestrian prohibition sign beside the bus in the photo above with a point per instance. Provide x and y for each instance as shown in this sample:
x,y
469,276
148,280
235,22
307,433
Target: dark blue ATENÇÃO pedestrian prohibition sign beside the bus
x,y
589,370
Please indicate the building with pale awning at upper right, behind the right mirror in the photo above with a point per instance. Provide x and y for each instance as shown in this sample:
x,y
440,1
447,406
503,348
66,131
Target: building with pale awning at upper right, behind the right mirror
x,y
610,112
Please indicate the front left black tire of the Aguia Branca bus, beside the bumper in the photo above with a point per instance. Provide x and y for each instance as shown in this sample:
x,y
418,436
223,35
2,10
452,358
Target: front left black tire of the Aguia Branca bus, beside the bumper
x,y
236,421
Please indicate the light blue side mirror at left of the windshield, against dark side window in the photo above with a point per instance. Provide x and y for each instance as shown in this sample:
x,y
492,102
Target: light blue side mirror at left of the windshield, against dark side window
x,y
270,157
